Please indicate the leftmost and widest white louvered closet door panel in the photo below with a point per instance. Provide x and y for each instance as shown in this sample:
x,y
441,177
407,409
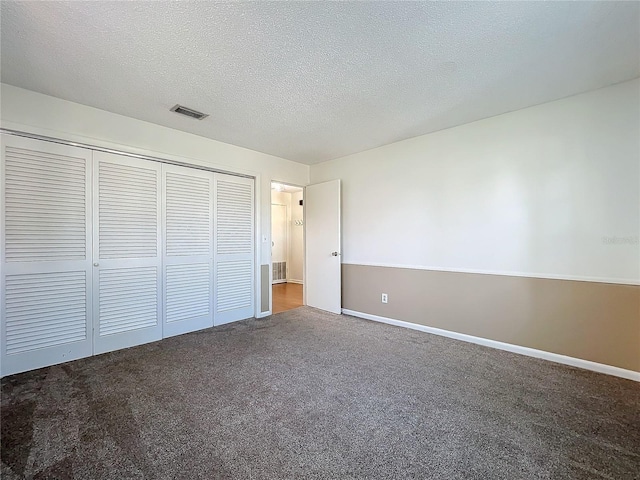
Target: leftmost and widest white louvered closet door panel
x,y
45,263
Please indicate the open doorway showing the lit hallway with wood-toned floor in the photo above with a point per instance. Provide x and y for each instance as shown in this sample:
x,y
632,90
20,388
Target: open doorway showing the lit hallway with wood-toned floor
x,y
287,246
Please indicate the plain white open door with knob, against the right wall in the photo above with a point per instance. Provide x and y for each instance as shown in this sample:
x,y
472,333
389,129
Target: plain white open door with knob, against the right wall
x,y
323,280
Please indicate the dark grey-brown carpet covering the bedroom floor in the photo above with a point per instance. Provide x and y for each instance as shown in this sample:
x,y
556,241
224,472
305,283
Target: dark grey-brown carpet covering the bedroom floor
x,y
304,394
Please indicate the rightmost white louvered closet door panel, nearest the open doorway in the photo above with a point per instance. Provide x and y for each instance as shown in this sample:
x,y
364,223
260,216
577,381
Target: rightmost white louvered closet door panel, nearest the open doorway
x,y
234,248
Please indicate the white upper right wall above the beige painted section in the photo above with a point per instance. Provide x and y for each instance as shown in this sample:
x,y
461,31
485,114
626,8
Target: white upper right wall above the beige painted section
x,y
550,191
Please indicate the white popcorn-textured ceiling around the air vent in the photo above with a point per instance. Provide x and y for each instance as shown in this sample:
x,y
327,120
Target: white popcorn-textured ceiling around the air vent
x,y
314,81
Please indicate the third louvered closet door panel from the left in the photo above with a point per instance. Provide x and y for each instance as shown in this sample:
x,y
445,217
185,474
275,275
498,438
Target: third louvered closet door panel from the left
x,y
188,249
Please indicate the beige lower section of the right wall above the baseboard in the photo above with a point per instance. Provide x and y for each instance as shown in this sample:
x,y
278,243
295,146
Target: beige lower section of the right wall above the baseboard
x,y
599,322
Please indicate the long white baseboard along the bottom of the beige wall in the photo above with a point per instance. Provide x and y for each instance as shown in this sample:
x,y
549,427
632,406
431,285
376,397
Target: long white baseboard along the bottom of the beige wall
x,y
530,352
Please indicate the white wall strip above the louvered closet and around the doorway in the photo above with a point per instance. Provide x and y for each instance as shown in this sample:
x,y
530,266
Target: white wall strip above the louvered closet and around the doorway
x,y
44,115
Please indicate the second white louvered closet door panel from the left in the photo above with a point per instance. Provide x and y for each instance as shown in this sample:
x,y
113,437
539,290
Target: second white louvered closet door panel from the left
x,y
127,273
